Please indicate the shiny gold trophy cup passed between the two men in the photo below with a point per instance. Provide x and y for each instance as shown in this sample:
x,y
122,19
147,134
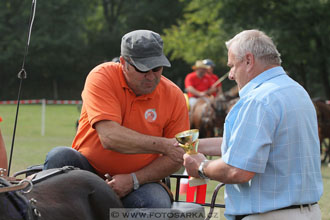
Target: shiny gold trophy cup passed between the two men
x,y
188,140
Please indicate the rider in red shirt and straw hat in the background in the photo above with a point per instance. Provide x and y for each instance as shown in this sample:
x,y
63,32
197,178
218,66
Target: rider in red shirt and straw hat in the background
x,y
198,83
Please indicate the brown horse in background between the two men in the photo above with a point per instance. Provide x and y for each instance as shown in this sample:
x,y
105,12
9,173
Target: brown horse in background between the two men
x,y
209,113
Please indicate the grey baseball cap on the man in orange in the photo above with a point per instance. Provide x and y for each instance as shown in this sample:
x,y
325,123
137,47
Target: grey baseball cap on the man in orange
x,y
145,49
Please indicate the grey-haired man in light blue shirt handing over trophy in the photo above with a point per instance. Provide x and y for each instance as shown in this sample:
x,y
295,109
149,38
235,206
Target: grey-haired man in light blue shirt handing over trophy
x,y
270,147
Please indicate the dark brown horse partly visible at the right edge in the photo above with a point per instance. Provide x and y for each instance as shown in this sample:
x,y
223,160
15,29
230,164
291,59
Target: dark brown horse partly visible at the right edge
x,y
323,119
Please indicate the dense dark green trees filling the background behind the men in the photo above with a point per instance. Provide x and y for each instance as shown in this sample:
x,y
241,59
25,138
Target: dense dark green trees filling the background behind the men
x,y
70,37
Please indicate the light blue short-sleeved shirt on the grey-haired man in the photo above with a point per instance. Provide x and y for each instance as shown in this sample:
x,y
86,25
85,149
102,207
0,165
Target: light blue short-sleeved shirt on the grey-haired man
x,y
272,131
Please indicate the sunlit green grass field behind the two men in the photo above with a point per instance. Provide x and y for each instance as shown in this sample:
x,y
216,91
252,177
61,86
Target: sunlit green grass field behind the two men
x,y
31,148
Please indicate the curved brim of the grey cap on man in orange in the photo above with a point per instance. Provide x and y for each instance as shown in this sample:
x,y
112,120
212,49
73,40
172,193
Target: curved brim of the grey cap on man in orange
x,y
148,63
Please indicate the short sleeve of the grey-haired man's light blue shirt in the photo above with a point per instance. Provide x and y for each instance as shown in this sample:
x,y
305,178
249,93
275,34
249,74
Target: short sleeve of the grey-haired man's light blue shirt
x,y
251,137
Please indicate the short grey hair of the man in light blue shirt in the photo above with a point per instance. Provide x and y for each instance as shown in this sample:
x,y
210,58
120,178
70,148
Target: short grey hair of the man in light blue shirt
x,y
257,43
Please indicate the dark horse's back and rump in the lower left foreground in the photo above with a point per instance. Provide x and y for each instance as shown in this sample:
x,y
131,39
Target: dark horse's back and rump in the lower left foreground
x,y
70,195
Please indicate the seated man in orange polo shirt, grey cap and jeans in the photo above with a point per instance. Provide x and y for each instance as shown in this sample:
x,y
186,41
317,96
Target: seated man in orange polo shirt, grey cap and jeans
x,y
128,121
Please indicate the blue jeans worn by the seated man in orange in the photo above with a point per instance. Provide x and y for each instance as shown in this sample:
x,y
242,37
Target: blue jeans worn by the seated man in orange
x,y
150,195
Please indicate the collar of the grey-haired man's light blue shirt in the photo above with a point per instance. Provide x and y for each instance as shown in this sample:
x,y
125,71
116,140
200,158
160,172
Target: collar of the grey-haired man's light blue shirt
x,y
261,78
